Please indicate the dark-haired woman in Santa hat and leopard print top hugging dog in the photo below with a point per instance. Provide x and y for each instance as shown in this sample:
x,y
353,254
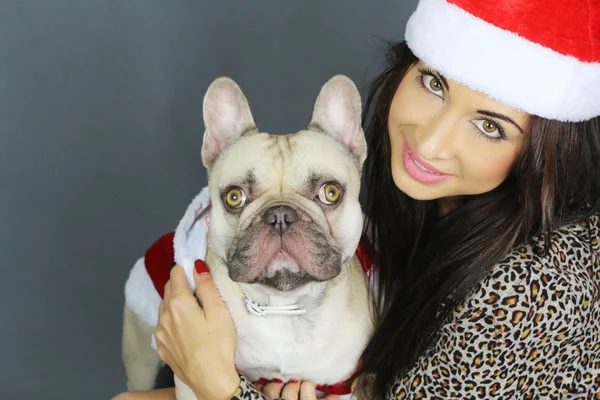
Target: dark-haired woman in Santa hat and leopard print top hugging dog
x,y
483,181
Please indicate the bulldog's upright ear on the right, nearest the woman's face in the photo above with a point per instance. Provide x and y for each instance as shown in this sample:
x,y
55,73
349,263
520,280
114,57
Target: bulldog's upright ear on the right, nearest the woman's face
x,y
337,112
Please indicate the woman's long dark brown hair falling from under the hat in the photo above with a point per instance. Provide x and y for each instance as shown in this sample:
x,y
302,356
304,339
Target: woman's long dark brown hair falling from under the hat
x,y
427,264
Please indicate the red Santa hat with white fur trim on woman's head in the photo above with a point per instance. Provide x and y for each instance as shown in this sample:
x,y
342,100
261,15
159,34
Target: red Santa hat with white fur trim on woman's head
x,y
538,56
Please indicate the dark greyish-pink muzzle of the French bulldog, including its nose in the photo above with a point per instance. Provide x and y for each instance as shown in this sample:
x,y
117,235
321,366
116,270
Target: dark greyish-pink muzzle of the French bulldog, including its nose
x,y
284,252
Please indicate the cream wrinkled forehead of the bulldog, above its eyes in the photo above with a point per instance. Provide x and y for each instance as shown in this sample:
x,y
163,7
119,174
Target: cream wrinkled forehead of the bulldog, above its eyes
x,y
294,163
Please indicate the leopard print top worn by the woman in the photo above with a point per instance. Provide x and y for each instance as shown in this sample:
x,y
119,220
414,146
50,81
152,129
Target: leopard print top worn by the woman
x,y
530,330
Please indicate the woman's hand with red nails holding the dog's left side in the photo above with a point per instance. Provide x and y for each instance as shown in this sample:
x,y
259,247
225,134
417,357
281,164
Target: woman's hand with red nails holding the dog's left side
x,y
198,343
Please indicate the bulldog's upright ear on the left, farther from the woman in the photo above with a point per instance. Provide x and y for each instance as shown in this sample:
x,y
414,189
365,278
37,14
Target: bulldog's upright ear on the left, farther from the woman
x,y
227,116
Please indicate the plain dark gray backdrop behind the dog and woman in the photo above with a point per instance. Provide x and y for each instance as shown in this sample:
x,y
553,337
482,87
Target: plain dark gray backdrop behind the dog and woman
x,y
100,135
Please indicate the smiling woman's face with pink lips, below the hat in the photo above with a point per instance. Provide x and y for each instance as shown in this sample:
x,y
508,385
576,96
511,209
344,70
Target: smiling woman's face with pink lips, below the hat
x,y
448,140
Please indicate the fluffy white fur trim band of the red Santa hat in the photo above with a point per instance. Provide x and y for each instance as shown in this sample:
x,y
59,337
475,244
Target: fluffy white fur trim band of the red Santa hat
x,y
516,72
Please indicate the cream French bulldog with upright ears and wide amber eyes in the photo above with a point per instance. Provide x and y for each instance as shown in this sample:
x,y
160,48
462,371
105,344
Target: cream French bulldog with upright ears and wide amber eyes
x,y
284,222
